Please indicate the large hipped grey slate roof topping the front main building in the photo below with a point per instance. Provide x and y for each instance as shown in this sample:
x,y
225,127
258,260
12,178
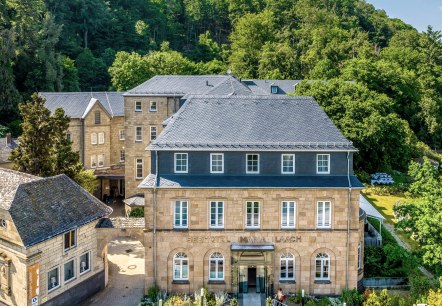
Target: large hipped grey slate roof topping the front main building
x,y
238,123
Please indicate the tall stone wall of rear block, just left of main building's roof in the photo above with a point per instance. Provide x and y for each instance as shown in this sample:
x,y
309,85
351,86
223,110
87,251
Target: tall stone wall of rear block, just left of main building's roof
x,y
166,107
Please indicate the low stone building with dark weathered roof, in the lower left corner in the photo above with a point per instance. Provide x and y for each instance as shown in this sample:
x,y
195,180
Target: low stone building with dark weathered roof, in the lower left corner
x,y
48,245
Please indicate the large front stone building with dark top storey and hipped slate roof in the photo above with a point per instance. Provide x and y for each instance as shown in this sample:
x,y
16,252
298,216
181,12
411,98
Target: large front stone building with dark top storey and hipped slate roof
x,y
249,193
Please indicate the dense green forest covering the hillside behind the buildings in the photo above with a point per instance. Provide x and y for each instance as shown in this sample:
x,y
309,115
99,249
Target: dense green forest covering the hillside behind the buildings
x,y
379,79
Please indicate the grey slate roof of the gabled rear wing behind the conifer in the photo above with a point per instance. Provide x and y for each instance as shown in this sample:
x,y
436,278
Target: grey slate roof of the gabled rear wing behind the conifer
x,y
75,104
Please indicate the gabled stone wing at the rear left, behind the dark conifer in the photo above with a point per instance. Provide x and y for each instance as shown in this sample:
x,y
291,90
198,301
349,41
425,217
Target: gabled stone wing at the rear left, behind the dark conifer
x,y
97,132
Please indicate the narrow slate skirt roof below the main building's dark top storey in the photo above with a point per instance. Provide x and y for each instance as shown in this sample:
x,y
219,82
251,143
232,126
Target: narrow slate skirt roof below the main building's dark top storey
x,y
226,181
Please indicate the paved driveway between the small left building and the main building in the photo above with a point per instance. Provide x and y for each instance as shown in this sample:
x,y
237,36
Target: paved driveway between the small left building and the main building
x,y
126,275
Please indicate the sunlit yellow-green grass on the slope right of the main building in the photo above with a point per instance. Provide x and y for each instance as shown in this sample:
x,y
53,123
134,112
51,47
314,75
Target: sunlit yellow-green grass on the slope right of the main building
x,y
384,204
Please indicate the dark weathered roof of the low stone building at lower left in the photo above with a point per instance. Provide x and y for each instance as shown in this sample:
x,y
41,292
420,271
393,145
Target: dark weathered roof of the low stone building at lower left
x,y
39,214
